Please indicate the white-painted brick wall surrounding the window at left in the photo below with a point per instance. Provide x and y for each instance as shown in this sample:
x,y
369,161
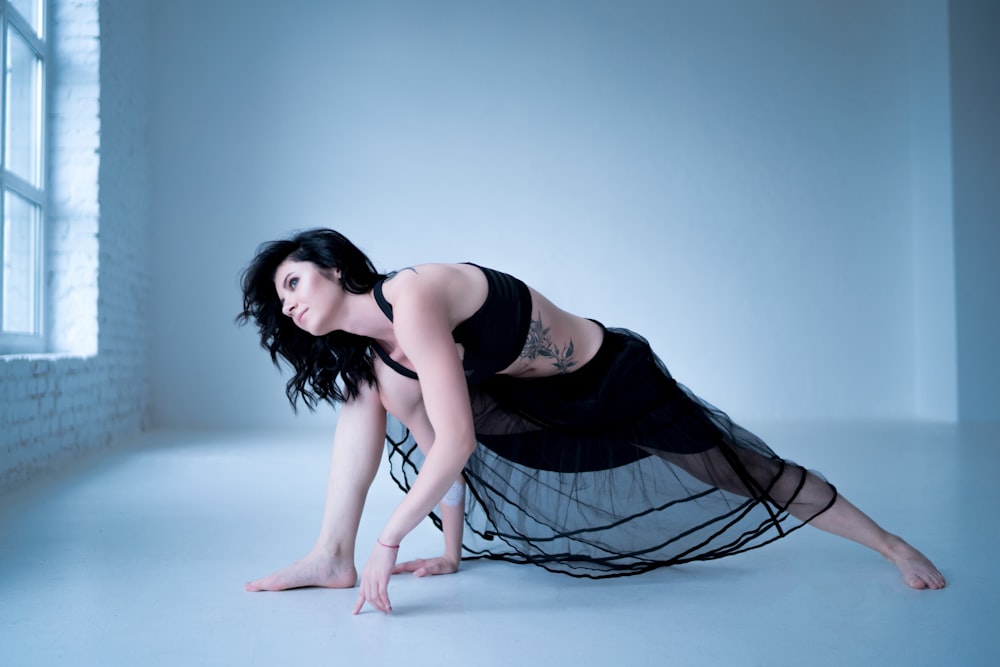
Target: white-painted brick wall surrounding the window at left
x,y
56,408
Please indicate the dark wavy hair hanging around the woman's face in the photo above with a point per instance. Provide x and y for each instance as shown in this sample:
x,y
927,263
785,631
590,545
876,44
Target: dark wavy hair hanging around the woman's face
x,y
321,364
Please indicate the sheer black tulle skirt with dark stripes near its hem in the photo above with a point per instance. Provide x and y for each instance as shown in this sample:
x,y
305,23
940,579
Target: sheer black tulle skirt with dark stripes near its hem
x,y
616,469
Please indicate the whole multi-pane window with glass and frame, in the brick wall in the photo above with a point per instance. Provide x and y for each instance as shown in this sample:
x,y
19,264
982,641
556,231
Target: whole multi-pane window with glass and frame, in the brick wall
x,y
22,187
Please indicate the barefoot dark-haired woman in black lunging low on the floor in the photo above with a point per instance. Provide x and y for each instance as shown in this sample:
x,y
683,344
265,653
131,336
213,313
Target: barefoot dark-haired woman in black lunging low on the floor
x,y
579,451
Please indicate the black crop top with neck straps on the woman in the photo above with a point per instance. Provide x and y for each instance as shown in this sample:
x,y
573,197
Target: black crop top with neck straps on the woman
x,y
493,337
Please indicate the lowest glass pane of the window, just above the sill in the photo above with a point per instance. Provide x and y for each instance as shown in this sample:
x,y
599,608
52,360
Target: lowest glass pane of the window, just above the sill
x,y
20,264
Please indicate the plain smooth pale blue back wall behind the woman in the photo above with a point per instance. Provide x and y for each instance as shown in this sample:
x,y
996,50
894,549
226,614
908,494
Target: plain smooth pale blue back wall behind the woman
x,y
732,179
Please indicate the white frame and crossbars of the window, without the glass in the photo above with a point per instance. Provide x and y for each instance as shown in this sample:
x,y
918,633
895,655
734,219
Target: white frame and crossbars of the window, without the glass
x,y
10,17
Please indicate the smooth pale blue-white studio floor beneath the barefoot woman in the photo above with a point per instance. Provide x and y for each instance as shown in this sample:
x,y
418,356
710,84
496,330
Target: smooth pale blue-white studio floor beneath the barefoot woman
x,y
138,558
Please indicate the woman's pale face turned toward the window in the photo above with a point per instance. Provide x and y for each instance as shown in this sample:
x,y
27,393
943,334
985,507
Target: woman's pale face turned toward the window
x,y
308,296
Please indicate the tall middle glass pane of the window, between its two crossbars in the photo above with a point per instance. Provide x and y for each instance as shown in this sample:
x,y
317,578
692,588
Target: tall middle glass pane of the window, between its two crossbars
x,y
23,140
